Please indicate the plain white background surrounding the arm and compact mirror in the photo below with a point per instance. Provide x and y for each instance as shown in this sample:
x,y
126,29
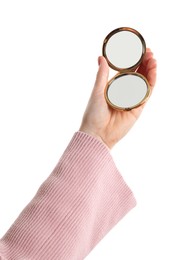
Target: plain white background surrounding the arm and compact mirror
x,y
48,63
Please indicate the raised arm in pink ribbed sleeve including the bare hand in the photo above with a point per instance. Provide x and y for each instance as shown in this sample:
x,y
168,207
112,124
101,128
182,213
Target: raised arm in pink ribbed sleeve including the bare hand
x,y
85,195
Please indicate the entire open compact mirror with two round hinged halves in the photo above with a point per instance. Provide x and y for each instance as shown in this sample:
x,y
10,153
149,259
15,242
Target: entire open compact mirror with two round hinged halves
x,y
124,49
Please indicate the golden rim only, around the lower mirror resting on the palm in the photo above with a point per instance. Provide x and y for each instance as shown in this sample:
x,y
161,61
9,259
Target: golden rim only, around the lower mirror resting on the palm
x,y
127,108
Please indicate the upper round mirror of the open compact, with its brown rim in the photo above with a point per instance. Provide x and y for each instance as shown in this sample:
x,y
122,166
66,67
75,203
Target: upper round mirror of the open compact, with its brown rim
x,y
124,48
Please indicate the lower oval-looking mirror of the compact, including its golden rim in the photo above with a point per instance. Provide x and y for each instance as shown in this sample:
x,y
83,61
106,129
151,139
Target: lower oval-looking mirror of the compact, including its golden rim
x,y
127,91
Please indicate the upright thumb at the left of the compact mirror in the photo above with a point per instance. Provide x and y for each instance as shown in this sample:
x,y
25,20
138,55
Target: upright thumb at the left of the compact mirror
x,y
102,75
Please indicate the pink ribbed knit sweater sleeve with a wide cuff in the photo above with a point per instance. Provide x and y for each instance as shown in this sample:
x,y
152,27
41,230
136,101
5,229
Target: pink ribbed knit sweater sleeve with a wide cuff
x,y
78,204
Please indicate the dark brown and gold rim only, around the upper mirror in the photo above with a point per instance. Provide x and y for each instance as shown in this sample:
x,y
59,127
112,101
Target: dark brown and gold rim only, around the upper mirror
x,y
134,67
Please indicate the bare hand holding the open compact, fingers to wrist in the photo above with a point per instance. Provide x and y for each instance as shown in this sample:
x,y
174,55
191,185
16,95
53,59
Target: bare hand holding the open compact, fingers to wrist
x,y
105,123
